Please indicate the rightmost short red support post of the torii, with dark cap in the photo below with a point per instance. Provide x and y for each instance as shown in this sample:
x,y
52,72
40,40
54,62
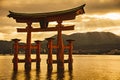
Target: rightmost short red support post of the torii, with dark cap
x,y
70,60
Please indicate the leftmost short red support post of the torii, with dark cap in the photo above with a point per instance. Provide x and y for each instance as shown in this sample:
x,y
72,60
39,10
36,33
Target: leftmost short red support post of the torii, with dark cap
x,y
16,50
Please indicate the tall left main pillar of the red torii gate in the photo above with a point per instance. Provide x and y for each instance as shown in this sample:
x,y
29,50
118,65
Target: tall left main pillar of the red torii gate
x,y
28,47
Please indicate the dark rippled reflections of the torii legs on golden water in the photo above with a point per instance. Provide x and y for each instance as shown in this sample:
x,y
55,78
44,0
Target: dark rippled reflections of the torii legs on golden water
x,y
66,75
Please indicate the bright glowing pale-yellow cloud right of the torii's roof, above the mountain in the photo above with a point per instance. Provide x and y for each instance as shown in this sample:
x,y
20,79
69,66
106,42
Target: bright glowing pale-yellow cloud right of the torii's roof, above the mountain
x,y
99,20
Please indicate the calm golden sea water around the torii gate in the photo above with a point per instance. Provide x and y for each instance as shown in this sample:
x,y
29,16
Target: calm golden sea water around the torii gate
x,y
85,67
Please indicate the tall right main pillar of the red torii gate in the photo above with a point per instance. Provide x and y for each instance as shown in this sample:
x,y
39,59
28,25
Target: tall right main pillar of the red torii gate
x,y
60,53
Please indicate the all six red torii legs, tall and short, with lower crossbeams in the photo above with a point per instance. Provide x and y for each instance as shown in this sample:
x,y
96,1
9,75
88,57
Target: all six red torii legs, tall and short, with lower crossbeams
x,y
60,51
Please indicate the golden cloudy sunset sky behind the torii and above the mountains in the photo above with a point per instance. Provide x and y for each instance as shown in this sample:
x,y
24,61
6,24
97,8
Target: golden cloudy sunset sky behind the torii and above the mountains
x,y
100,15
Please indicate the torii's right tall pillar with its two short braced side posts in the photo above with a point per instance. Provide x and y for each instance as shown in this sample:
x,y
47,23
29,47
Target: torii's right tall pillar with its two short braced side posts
x,y
60,51
